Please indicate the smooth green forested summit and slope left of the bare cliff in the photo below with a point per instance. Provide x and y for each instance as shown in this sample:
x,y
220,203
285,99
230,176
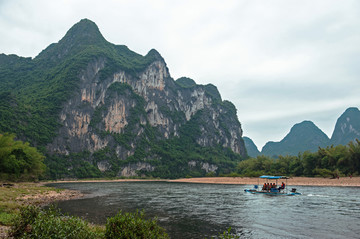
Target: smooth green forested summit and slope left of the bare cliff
x,y
33,91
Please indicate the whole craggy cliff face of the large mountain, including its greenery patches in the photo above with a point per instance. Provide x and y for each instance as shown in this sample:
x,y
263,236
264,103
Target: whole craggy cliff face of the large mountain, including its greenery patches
x,y
128,112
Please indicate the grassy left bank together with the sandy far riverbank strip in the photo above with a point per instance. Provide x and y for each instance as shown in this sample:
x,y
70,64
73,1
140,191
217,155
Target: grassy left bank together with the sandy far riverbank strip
x,y
13,196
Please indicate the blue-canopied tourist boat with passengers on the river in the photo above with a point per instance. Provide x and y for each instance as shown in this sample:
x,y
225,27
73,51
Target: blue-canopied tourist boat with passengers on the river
x,y
276,191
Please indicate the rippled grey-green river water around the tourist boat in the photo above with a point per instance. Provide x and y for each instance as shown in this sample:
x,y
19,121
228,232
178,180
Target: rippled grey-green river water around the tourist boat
x,y
205,210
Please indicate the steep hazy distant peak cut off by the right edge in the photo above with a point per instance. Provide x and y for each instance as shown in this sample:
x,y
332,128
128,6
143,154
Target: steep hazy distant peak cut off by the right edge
x,y
347,127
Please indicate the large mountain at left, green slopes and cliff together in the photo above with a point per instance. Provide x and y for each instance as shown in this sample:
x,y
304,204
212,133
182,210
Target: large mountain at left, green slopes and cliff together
x,y
34,93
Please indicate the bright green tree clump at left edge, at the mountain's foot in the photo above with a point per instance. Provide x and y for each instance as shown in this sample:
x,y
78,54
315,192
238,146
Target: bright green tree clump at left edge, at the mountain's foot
x,y
18,160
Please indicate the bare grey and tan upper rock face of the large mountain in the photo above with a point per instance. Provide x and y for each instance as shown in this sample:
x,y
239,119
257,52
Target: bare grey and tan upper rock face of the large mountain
x,y
161,96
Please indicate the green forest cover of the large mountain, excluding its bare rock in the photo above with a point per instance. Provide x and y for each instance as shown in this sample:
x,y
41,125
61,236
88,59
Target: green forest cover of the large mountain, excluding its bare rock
x,y
33,93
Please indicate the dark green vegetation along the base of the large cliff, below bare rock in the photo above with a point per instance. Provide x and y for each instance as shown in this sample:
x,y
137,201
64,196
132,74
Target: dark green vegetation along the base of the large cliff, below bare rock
x,y
170,157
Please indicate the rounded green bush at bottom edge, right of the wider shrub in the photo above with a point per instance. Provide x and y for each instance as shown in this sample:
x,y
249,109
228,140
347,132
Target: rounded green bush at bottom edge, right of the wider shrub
x,y
133,225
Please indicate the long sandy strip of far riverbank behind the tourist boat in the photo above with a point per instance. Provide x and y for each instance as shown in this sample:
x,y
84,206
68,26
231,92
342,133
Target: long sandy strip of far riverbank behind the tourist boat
x,y
295,181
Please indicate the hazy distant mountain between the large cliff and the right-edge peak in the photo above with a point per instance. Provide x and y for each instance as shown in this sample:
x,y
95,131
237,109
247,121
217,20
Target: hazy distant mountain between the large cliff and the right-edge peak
x,y
302,137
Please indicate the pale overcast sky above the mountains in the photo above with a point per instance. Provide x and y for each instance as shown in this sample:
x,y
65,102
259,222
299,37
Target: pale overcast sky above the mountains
x,y
280,62
